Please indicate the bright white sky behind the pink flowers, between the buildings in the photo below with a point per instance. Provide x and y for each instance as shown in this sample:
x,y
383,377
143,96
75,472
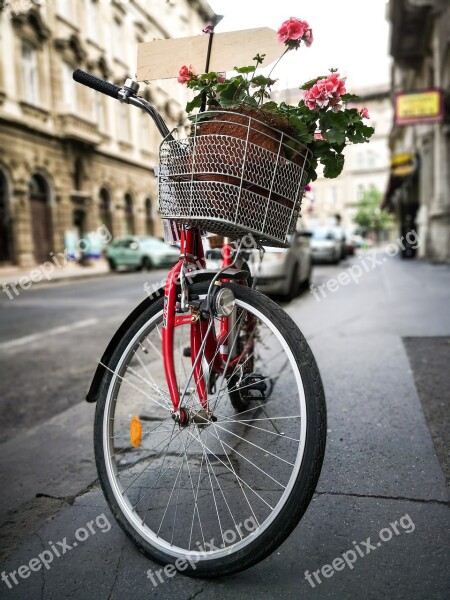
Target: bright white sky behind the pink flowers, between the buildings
x,y
350,35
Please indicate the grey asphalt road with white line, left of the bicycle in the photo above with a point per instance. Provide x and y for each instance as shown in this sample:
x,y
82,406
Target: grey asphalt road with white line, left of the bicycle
x,y
51,338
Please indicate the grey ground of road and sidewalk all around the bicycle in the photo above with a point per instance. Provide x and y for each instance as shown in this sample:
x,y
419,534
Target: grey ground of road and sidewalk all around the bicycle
x,y
380,468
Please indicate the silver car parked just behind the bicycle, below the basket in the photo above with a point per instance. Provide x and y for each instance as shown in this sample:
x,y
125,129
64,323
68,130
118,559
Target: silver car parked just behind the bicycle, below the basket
x,y
284,270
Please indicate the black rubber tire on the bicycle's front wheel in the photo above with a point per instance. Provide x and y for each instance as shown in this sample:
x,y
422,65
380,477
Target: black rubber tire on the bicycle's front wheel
x,y
309,469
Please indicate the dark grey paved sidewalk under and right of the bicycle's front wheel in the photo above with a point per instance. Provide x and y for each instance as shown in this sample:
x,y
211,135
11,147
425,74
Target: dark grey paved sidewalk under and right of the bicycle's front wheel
x,y
380,467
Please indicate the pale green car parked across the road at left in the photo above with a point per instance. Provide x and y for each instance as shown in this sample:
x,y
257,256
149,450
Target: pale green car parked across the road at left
x,y
140,252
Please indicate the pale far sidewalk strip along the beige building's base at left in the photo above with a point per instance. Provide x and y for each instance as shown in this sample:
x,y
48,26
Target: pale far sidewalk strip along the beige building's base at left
x,y
50,272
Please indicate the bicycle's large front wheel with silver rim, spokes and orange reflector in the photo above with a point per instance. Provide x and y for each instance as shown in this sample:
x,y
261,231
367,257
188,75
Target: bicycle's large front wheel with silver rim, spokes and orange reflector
x,y
212,499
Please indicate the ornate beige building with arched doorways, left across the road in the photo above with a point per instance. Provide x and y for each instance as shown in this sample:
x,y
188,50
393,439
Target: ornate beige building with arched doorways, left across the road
x,y
72,159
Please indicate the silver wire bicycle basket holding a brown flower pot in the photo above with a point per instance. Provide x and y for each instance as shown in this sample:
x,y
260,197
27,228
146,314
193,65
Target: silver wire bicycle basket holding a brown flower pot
x,y
234,175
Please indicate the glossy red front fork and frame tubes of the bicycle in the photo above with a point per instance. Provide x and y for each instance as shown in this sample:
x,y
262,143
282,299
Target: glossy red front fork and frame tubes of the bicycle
x,y
215,347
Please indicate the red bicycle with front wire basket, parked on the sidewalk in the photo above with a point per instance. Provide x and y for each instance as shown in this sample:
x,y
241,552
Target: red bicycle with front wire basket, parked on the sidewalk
x,y
210,421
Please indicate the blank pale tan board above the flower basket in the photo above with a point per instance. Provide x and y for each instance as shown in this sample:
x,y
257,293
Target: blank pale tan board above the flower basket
x,y
162,59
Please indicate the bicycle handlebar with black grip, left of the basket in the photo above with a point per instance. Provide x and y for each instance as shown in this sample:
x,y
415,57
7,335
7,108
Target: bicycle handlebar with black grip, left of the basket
x,y
126,94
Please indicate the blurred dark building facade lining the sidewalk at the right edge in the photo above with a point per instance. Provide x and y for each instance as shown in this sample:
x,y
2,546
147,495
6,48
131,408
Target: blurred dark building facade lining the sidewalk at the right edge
x,y
419,187
